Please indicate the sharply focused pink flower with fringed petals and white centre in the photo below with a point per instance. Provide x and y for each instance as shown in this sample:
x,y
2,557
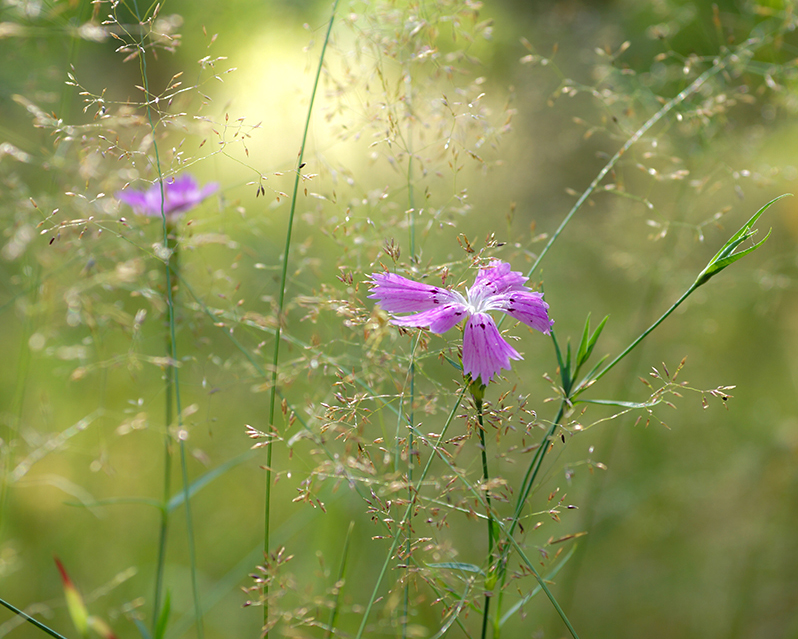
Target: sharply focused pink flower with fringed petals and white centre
x,y
497,288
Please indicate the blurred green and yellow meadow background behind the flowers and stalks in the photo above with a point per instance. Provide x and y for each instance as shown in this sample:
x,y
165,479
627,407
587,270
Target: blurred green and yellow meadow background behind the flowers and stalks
x,y
691,528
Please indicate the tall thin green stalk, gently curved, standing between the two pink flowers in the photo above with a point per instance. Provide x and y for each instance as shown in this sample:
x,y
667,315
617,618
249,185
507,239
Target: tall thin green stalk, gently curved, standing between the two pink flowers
x,y
280,311
